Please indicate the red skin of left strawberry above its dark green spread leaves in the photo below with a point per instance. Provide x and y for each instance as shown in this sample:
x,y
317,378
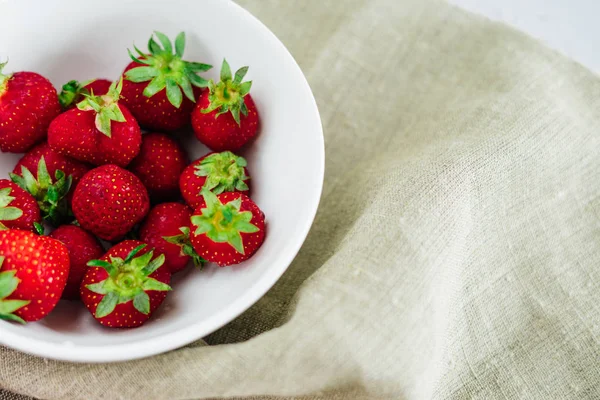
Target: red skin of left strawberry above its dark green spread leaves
x,y
54,162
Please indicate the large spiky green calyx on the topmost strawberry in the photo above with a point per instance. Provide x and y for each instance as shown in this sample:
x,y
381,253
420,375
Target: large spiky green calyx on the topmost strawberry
x,y
165,69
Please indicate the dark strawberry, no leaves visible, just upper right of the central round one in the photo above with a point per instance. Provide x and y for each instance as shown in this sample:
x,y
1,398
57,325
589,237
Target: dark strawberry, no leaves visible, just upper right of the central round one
x,y
161,159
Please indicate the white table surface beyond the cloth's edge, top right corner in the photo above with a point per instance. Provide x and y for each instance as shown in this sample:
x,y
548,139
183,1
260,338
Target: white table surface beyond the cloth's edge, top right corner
x,y
570,26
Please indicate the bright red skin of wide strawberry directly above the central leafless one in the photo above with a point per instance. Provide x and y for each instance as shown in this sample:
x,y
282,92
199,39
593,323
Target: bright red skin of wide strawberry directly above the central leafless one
x,y
74,134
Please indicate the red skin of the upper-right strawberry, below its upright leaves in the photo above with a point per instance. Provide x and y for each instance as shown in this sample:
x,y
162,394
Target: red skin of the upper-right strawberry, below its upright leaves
x,y
223,133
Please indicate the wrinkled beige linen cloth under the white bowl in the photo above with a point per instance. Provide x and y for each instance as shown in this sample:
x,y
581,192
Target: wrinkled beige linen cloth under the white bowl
x,y
456,253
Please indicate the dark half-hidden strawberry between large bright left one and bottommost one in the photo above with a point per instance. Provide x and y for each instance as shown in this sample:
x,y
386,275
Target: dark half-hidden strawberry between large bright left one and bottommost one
x,y
82,247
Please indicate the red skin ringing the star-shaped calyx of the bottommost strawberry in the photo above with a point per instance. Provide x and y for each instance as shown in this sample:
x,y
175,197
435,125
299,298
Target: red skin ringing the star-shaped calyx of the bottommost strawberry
x,y
124,315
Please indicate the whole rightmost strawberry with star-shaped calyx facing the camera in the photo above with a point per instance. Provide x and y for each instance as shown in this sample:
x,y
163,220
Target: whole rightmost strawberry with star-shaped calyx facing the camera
x,y
227,229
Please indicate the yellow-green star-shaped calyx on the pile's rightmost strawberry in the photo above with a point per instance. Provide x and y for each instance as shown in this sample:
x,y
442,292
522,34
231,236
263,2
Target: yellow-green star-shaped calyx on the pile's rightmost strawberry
x,y
223,223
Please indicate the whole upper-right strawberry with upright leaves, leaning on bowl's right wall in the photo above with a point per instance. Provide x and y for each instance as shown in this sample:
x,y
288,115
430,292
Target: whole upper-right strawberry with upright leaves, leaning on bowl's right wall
x,y
225,117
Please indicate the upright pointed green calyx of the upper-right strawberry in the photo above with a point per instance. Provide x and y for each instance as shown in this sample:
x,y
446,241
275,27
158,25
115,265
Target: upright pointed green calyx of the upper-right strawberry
x,y
228,95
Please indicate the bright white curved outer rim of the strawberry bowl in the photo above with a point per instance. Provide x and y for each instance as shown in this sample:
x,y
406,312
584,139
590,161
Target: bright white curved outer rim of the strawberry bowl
x,y
158,344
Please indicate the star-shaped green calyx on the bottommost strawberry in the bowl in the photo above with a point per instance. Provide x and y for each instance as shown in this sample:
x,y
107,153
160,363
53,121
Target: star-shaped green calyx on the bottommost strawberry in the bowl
x,y
128,280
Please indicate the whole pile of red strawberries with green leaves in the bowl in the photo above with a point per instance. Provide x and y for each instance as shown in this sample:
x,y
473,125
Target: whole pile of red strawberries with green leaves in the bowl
x,y
110,196
